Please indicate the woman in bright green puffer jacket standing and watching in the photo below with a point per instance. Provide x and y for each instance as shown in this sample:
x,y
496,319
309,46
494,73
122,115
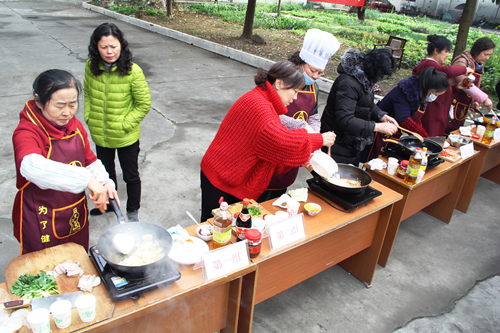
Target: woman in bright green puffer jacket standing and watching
x,y
117,98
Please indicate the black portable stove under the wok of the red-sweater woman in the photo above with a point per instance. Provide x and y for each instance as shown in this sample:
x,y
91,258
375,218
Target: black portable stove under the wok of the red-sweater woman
x,y
346,201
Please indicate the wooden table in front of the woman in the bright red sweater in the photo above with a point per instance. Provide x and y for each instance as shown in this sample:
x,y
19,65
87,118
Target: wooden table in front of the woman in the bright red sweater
x,y
352,240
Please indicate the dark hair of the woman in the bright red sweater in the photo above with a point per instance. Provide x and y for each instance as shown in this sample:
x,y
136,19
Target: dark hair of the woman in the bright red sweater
x,y
284,70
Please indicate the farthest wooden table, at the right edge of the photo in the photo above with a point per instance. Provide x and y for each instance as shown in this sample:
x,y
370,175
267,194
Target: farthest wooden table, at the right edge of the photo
x,y
487,165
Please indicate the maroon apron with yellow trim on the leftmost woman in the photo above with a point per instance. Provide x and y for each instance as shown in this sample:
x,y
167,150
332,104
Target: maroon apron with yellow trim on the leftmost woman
x,y
49,217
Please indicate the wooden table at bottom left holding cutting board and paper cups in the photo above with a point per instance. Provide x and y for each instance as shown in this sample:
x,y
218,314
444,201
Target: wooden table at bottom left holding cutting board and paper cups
x,y
188,305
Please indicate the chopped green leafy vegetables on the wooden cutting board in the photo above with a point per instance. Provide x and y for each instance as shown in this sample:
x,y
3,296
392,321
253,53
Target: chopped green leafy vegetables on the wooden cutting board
x,y
35,286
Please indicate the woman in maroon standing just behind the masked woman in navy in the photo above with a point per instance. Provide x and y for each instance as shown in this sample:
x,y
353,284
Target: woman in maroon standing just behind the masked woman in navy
x,y
435,118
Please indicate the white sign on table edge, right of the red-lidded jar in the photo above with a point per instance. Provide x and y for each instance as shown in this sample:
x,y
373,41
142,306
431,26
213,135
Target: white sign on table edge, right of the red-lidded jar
x,y
286,232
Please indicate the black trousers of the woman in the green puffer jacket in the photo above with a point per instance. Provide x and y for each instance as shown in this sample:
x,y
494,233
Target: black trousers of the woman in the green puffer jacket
x,y
129,162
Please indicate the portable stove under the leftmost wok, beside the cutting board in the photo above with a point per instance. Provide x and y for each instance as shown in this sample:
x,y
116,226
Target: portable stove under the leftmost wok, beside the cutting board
x,y
123,285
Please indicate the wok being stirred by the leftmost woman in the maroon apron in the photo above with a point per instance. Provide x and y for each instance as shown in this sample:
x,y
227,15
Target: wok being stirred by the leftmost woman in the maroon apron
x,y
137,230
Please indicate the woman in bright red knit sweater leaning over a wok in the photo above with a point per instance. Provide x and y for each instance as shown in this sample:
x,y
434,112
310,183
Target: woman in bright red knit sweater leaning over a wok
x,y
251,144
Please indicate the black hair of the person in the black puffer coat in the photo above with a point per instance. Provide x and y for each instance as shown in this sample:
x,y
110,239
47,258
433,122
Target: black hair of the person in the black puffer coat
x,y
378,64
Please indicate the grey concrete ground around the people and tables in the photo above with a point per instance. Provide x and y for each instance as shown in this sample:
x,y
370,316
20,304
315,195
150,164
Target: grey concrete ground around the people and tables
x,y
440,277
